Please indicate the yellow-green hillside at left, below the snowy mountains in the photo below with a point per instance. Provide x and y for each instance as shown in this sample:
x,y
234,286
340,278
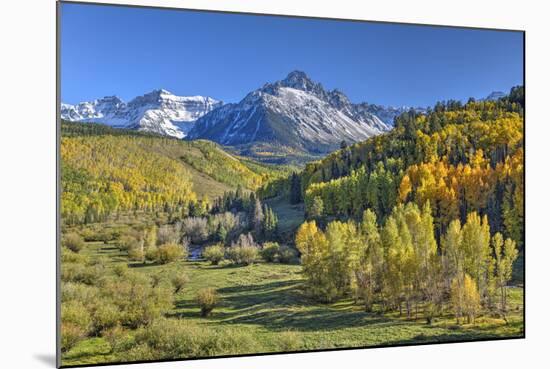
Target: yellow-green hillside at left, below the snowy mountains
x,y
106,170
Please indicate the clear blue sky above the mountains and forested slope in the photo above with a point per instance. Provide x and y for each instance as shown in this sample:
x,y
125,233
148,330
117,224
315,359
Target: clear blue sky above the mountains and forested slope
x,y
124,51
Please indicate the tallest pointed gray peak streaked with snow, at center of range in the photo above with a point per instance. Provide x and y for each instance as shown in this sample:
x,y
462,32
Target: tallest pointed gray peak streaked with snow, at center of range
x,y
295,112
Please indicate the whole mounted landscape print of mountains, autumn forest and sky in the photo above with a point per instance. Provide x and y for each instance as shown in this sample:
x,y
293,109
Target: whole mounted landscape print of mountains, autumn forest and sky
x,y
245,184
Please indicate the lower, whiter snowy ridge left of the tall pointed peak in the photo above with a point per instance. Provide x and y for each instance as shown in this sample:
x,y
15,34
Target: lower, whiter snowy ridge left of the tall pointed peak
x,y
158,111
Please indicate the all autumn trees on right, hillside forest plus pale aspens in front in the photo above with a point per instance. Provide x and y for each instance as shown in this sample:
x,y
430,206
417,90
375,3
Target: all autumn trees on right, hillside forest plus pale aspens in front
x,y
429,214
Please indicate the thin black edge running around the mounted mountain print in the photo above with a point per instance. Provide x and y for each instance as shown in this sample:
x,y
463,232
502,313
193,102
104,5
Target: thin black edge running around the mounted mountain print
x,y
168,8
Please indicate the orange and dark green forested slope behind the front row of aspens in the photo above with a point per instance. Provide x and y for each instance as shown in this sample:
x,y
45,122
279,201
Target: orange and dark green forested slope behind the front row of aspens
x,y
458,157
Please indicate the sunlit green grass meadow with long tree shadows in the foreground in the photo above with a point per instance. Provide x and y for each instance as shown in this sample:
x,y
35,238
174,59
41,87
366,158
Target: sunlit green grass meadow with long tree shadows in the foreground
x,y
267,301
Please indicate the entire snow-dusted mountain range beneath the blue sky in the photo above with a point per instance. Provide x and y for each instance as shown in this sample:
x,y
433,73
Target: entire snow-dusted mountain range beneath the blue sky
x,y
295,112
